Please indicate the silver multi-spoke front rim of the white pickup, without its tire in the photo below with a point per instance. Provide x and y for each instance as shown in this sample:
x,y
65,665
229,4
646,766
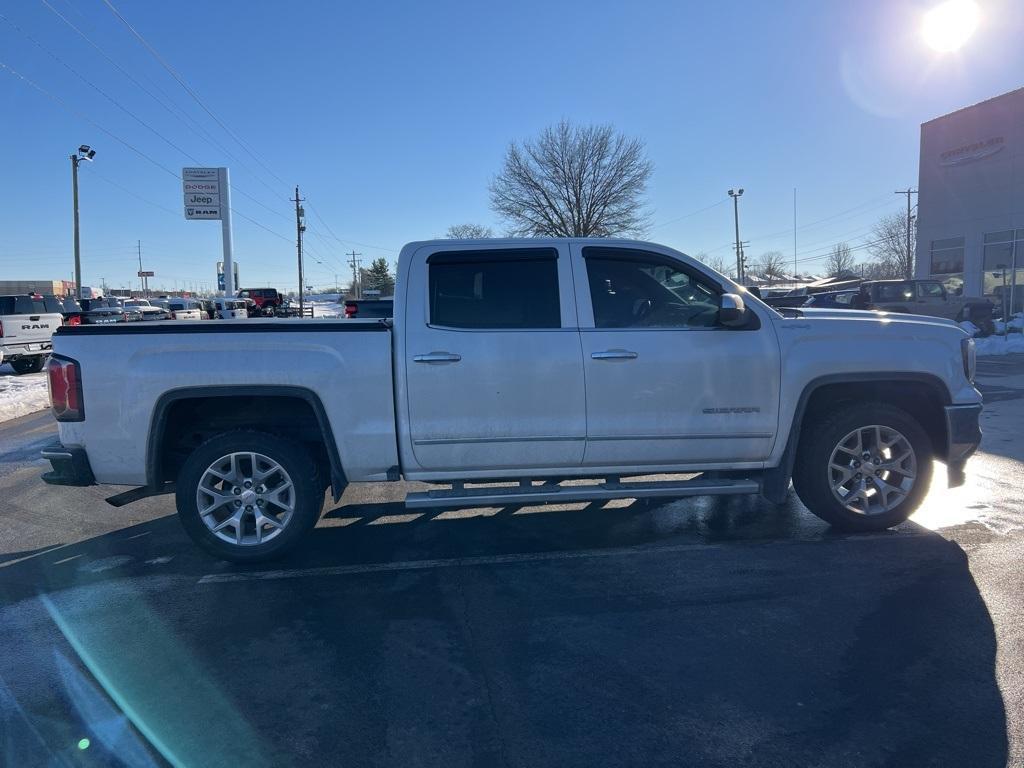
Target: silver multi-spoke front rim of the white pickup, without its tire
x,y
873,470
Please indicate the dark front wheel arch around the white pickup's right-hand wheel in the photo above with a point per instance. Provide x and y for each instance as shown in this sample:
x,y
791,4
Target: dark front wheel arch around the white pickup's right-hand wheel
x,y
922,395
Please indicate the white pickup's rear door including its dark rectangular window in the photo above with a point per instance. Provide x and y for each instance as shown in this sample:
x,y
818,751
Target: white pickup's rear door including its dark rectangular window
x,y
494,374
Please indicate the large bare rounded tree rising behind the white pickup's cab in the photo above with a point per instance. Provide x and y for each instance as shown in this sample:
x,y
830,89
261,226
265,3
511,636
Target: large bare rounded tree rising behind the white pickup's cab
x,y
574,182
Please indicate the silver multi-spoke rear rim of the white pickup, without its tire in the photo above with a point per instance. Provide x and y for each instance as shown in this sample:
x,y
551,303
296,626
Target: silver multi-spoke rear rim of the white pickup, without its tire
x,y
245,499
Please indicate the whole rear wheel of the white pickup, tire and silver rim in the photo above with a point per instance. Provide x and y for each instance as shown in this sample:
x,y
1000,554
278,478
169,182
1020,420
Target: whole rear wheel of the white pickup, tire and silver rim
x,y
249,496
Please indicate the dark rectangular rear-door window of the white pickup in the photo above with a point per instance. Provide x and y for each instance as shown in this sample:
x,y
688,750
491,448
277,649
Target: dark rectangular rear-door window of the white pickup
x,y
495,289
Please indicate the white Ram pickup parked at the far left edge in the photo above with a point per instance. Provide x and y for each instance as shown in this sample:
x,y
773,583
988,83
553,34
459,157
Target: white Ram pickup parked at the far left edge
x,y
27,326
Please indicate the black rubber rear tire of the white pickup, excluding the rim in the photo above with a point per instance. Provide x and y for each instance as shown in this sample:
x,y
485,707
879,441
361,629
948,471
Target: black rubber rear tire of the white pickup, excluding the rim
x,y
295,460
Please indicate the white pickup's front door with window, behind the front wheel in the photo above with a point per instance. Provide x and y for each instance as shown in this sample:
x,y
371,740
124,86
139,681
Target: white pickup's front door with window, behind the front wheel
x,y
667,386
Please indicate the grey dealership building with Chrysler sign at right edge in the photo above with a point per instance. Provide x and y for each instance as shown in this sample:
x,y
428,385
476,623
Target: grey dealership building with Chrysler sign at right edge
x,y
971,199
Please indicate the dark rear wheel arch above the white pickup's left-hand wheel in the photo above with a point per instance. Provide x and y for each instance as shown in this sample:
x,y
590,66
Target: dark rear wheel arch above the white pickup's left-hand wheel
x,y
165,408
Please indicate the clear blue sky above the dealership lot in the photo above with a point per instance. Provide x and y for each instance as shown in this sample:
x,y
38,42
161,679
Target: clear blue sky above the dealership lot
x,y
394,118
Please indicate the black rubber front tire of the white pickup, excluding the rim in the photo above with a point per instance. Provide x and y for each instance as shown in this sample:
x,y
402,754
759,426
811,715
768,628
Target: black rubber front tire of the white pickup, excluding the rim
x,y
820,438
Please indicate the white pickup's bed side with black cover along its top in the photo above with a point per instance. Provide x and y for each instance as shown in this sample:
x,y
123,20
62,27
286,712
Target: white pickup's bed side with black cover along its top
x,y
344,365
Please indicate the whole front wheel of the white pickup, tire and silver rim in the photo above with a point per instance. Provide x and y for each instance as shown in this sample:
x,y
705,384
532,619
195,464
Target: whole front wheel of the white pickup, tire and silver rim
x,y
865,468
